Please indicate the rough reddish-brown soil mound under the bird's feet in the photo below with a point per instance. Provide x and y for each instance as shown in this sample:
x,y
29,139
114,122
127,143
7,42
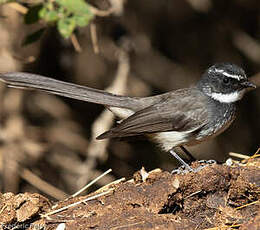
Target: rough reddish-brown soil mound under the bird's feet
x,y
213,198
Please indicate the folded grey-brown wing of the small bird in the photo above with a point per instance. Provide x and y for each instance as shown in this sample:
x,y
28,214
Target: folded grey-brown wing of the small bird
x,y
178,111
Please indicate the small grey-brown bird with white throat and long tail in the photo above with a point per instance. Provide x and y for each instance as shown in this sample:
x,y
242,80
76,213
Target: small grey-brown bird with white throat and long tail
x,y
178,118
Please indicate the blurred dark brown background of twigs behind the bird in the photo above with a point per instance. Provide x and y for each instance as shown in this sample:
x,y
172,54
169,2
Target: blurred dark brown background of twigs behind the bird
x,y
142,47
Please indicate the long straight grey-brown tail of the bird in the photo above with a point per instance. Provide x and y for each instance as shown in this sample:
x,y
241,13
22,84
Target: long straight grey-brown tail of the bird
x,y
83,93
